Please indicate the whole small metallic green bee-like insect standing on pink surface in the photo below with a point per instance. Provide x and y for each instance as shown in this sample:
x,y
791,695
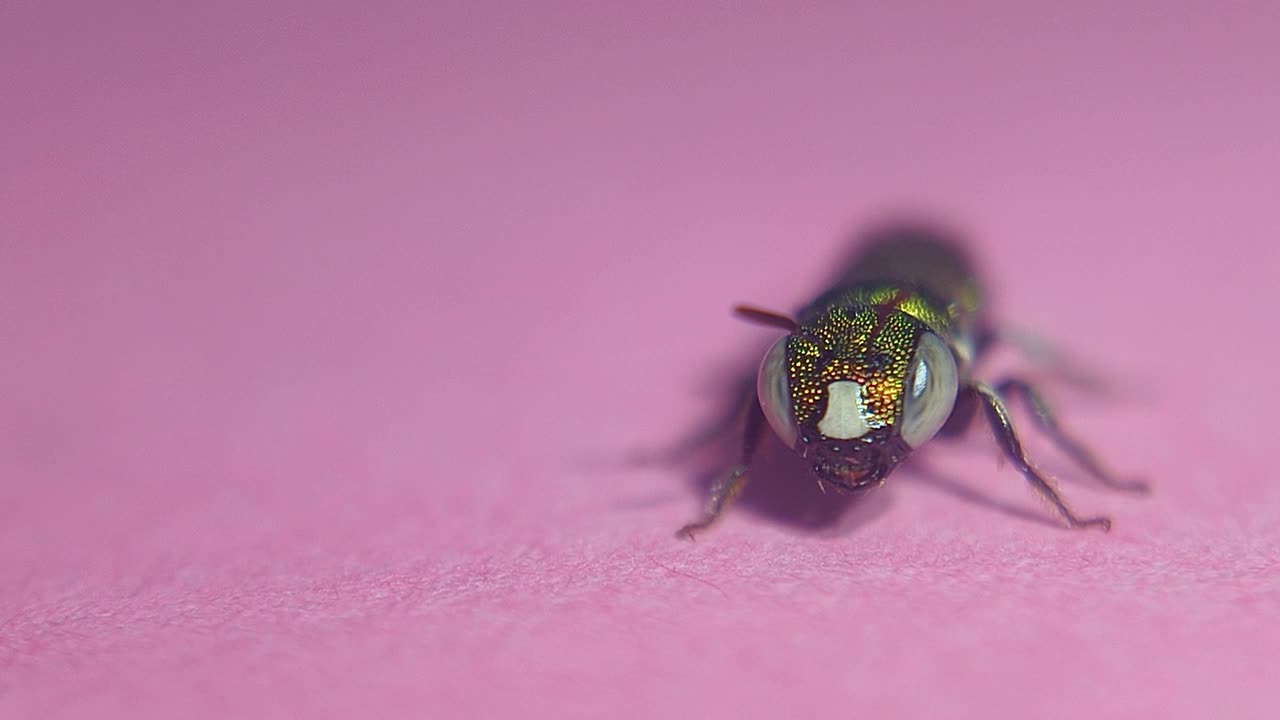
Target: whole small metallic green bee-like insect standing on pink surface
x,y
881,363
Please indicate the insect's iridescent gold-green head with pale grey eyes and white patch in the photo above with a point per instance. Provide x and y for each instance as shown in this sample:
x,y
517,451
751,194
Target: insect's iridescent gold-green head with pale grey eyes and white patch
x,y
857,390
